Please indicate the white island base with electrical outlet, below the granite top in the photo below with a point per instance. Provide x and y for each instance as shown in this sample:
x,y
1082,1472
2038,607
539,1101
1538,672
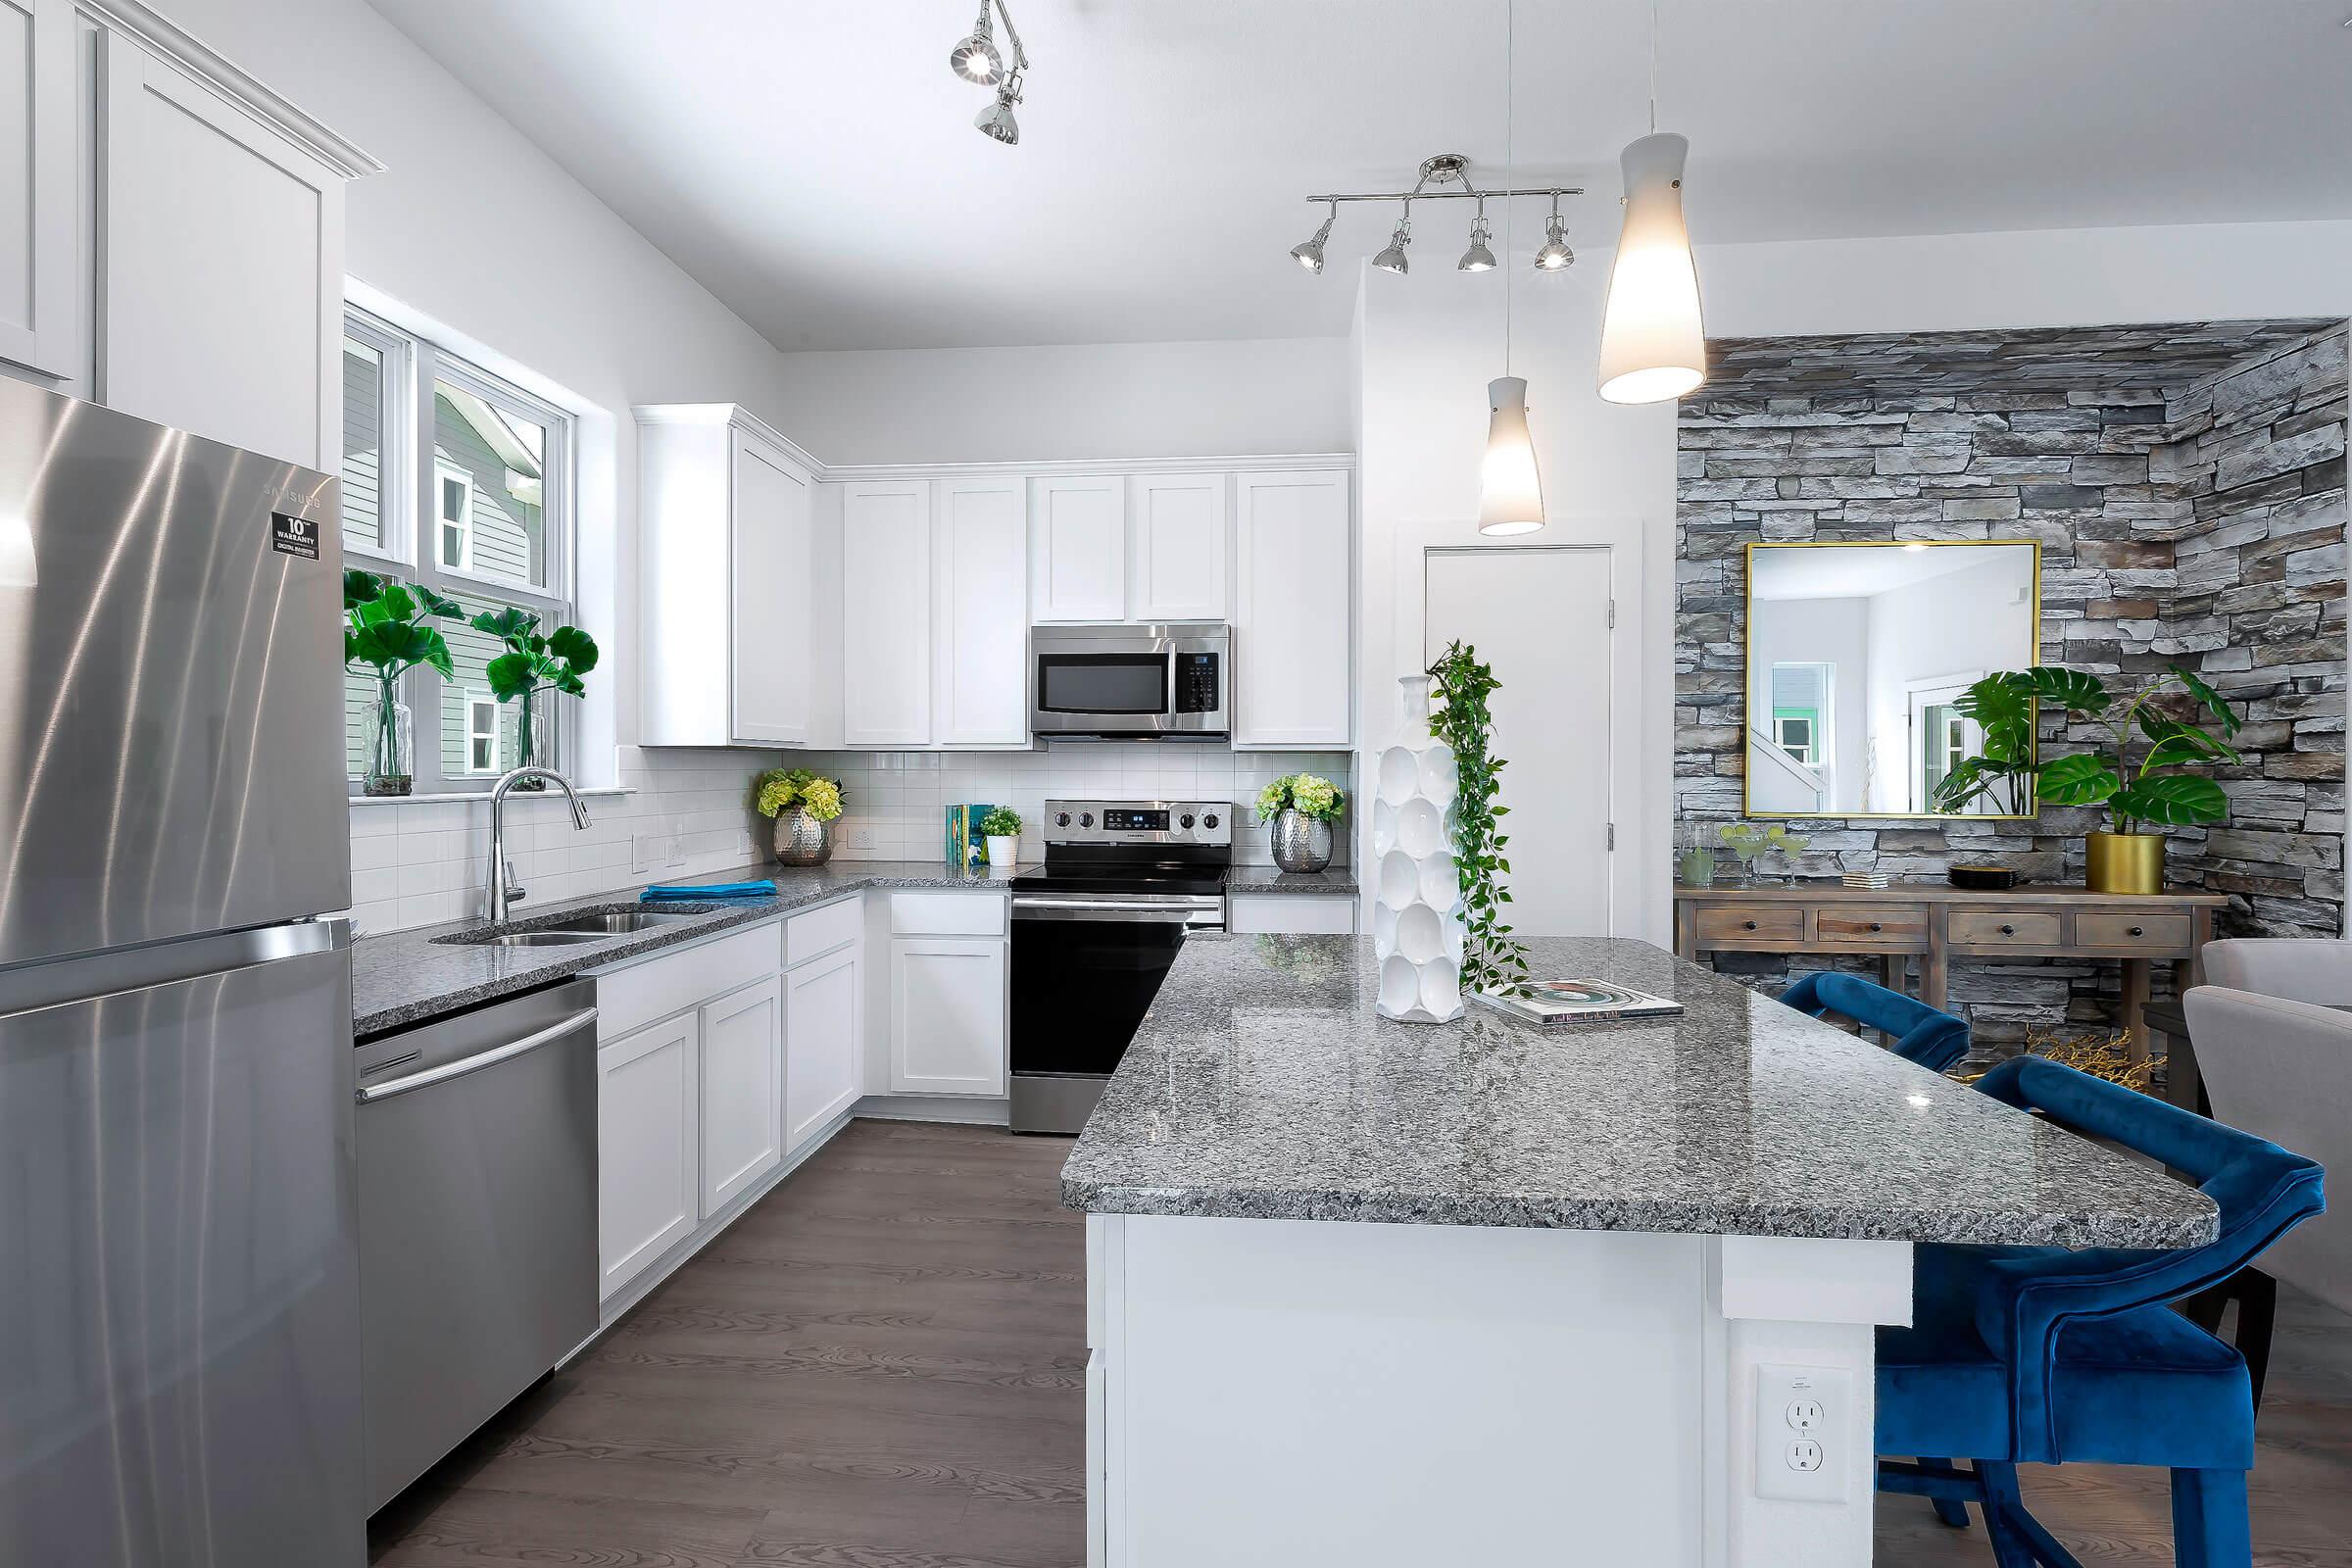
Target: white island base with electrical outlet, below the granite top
x,y
1339,1395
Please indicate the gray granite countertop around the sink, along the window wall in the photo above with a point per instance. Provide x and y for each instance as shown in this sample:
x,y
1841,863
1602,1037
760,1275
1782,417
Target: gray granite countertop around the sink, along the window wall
x,y
408,977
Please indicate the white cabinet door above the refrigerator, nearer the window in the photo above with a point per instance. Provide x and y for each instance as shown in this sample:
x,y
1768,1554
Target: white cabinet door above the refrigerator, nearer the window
x,y
225,253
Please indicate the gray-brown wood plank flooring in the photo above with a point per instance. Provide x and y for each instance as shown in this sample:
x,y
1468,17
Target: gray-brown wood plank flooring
x,y
883,1367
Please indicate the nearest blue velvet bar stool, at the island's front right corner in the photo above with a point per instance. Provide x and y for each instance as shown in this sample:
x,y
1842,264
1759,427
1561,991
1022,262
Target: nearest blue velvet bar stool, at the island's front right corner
x,y
2052,1358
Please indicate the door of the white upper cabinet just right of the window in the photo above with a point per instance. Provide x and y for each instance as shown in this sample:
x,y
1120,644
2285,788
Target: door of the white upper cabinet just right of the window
x,y
770,622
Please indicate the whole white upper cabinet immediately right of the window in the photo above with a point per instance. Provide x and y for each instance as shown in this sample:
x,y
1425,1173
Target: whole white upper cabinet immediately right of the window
x,y
728,568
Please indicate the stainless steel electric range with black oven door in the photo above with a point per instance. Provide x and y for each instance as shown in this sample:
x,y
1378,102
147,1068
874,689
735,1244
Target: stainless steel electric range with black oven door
x,y
1095,934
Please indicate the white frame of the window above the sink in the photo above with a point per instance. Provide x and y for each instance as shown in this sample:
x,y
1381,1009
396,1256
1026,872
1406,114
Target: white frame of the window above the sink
x,y
410,500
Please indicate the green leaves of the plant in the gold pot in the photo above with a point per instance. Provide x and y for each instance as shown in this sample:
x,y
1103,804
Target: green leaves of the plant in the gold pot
x,y
2137,791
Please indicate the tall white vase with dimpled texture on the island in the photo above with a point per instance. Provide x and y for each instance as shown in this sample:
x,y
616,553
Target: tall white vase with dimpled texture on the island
x,y
1417,918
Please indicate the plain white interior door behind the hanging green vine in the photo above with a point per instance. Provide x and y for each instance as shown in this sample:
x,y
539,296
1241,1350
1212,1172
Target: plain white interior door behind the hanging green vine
x,y
1542,619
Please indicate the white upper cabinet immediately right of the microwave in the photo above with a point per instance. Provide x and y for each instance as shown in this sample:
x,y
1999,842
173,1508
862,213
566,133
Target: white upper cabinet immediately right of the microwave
x,y
1290,626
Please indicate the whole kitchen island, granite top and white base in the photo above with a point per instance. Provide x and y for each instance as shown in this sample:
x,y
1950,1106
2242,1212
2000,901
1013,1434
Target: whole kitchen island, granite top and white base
x,y
1495,1294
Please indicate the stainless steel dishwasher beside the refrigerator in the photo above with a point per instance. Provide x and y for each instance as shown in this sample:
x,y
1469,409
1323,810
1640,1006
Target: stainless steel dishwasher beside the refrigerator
x,y
479,1245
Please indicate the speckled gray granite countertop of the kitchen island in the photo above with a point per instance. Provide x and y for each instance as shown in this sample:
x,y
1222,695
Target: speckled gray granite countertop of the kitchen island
x,y
1264,1085
